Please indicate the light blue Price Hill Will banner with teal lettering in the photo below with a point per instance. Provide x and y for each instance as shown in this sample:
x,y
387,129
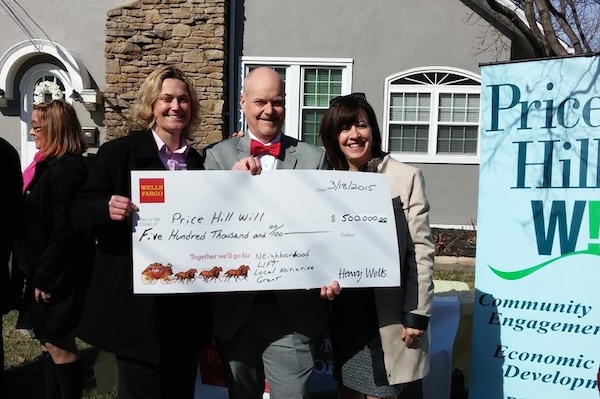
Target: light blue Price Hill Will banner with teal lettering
x,y
536,327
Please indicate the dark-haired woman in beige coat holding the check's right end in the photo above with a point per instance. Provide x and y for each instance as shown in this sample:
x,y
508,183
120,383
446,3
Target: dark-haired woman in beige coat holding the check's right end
x,y
379,336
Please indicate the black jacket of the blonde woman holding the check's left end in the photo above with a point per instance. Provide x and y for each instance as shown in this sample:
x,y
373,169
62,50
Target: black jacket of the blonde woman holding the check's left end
x,y
114,319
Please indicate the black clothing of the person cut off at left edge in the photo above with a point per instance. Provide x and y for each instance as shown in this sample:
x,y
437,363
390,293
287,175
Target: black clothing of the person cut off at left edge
x,y
12,185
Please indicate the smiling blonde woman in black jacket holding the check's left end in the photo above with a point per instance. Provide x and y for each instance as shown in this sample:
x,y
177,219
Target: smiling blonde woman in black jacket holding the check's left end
x,y
155,338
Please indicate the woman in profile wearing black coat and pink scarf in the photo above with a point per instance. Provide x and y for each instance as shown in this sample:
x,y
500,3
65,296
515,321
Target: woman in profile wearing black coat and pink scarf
x,y
55,260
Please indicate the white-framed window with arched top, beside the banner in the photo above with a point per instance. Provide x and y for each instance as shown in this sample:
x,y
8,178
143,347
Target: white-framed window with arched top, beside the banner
x,y
432,115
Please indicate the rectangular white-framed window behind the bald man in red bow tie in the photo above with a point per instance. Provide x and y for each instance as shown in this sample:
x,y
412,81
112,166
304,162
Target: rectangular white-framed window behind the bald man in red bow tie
x,y
309,85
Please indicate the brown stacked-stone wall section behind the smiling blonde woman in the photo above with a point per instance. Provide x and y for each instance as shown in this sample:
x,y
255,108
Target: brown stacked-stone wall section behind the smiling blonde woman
x,y
189,34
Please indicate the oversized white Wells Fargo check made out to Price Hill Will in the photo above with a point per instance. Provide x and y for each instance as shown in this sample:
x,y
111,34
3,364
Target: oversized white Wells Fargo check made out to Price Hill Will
x,y
218,231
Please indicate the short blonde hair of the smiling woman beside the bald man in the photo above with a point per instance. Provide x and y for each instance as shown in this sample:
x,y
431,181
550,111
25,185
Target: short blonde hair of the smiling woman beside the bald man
x,y
142,111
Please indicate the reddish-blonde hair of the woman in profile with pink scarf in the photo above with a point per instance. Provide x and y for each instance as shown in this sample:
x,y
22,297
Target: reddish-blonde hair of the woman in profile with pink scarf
x,y
61,129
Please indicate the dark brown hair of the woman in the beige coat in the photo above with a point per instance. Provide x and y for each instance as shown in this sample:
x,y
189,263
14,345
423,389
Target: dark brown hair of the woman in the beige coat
x,y
345,112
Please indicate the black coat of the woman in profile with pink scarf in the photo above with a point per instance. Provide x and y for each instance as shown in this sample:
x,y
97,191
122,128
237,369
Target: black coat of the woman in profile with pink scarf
x,y
52,257
